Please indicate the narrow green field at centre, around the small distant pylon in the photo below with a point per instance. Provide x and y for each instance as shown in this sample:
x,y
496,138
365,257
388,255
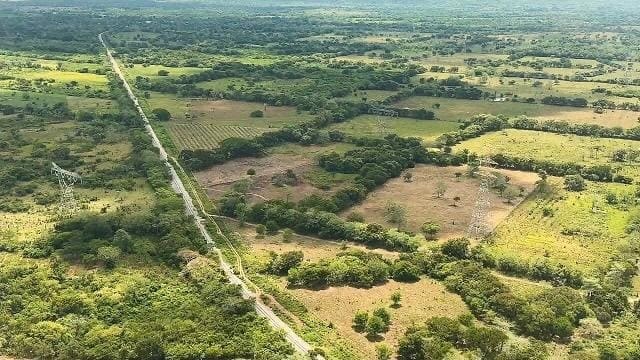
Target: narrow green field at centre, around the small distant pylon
x,y
368,125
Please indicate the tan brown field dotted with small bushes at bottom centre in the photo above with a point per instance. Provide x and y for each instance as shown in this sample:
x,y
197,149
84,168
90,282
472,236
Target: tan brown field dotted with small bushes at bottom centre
x,y
420,301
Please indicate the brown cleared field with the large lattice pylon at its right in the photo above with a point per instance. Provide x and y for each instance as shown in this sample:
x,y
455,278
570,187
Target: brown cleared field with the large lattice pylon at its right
x,y
421,205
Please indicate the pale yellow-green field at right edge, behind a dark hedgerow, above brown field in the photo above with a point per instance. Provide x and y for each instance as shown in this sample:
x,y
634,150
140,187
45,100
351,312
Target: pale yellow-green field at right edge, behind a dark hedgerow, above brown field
x,y
552,147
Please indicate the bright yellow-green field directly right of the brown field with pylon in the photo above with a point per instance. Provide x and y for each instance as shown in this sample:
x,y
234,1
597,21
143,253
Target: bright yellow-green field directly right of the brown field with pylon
x,y
584,231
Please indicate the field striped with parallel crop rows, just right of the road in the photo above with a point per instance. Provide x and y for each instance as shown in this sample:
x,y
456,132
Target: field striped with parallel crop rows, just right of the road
x,y
208,136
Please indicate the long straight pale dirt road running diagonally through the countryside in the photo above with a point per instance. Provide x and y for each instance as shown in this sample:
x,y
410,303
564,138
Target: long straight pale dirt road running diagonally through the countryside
x,y
176,183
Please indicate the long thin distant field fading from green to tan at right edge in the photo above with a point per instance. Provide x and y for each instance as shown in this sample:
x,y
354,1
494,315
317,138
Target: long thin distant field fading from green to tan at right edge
x,y
457,109
